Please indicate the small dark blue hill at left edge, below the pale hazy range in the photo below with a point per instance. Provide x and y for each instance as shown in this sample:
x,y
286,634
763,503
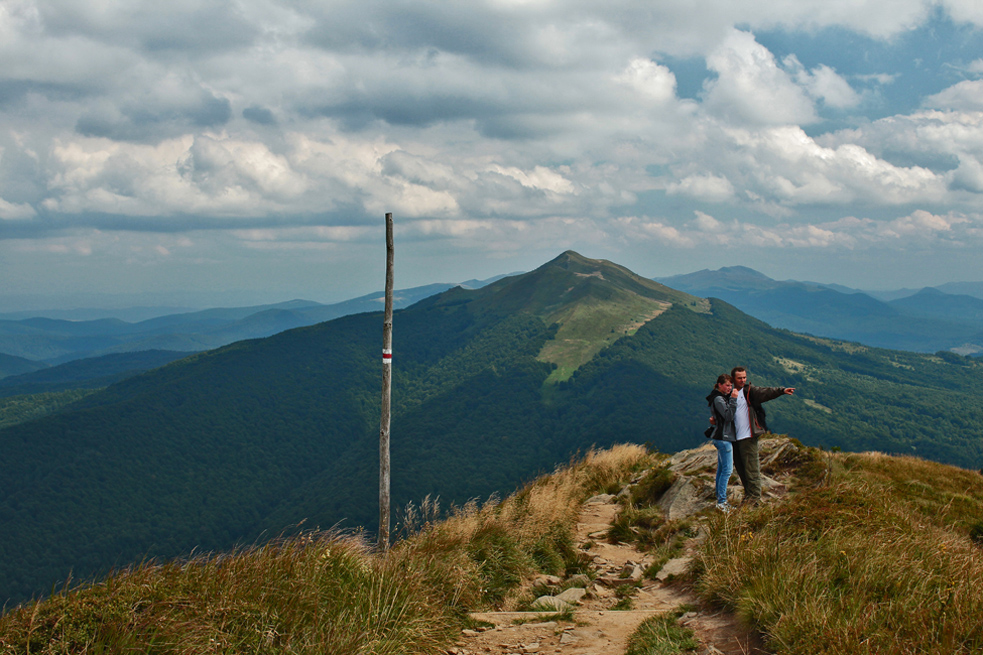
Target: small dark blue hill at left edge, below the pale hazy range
x,y
89,373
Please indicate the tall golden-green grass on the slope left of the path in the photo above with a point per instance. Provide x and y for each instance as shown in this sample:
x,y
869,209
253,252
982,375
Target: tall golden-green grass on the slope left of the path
x,y
327,593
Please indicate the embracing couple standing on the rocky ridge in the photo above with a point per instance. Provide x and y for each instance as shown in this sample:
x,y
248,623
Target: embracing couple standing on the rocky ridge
x,y
738,421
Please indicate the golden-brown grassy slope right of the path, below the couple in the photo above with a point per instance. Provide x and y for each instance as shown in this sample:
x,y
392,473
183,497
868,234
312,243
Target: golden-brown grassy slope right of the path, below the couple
x,y
878,559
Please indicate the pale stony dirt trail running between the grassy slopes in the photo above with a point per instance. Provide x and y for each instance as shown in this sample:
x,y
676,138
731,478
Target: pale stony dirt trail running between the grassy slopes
x,y
597,629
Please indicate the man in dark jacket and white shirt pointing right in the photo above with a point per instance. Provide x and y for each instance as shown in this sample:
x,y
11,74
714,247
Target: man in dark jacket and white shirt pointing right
x,y
749,421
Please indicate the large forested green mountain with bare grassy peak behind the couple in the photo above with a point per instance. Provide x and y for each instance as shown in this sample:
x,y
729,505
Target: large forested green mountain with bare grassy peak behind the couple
x,y
490,387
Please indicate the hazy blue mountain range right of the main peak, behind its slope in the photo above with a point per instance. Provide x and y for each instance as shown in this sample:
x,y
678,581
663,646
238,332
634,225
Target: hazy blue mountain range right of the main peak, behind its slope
x,y
927,321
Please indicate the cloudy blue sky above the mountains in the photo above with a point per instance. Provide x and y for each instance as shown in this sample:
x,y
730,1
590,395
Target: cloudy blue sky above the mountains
x,y
246,151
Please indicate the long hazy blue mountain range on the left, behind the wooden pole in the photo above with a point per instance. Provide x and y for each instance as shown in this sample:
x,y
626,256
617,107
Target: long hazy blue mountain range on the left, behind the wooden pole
x,y
55,341
